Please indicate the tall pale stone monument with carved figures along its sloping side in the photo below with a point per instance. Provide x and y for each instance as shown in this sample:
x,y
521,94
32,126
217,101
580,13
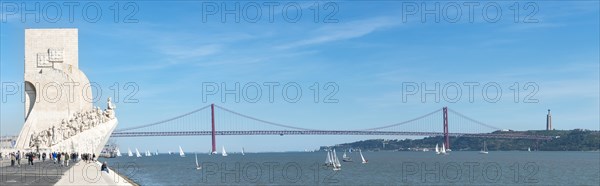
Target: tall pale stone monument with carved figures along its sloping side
x,y
59,110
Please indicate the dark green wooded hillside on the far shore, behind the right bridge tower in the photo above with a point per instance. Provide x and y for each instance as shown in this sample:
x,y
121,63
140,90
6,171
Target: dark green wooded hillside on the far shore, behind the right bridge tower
x,y
576,140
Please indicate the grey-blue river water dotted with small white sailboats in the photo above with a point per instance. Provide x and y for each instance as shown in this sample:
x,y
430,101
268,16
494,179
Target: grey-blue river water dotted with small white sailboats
x,y
414,168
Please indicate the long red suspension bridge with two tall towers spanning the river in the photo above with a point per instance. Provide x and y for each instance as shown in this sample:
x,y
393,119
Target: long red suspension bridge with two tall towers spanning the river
x,y
203,122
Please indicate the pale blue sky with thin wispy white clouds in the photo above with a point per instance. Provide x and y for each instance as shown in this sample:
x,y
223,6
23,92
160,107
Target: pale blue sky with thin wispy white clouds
x,y
369,52
